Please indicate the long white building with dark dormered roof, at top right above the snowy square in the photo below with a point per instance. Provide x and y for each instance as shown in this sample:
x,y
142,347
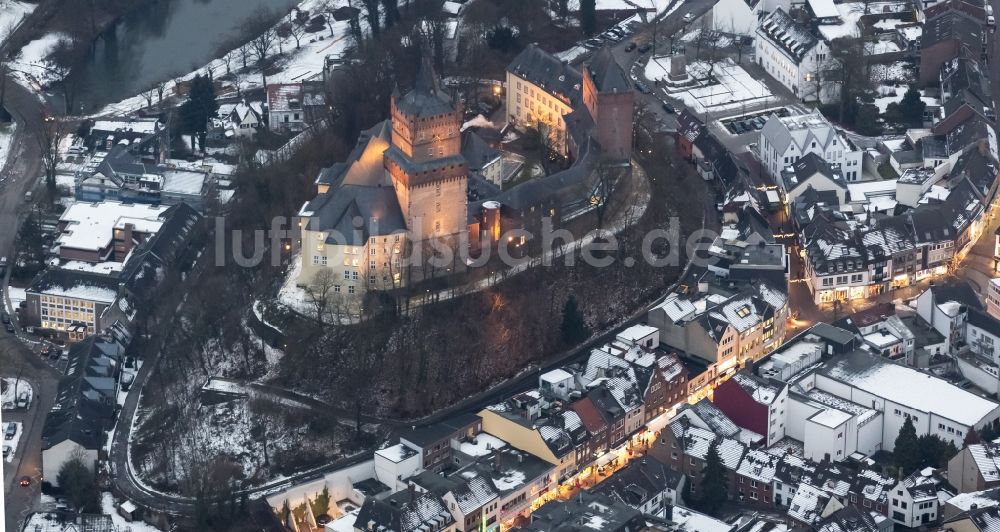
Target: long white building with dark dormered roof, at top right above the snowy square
x,y
793,56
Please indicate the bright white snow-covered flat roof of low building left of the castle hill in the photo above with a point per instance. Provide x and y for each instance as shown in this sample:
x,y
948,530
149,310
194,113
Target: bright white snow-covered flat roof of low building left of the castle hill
x,y
90,226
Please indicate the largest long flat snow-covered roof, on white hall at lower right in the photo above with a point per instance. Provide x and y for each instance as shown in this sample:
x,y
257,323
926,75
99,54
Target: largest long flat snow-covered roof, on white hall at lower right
x,y
908,387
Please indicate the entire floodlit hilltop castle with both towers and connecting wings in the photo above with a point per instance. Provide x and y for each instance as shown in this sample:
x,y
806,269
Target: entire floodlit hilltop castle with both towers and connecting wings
x,y
408,181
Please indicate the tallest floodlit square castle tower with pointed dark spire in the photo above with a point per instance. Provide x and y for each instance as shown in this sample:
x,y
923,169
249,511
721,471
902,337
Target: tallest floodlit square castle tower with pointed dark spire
x,y
428,172
